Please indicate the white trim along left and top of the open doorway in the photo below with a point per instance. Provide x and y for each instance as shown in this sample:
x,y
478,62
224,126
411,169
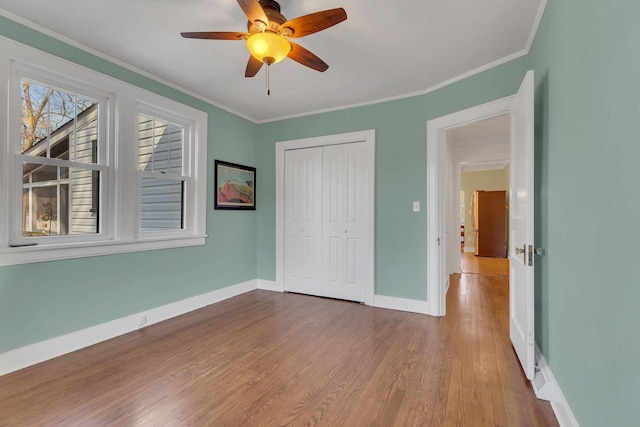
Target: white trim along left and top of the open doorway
x,y
436,193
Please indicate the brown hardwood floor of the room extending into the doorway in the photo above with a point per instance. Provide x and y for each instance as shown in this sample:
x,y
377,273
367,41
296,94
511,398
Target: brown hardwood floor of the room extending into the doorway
x,y
270,359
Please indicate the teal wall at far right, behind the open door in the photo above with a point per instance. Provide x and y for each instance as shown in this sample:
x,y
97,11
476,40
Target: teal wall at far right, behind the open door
x,y
588,148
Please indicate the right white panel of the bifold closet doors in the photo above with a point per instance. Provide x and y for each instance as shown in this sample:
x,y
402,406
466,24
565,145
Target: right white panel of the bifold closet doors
x,y
344,238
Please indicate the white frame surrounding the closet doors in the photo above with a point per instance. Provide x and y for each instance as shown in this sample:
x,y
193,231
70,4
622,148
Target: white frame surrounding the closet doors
x,y
366,136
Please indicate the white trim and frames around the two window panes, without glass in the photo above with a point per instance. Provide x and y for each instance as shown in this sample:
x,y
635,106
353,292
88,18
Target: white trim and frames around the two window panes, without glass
x,y
119,232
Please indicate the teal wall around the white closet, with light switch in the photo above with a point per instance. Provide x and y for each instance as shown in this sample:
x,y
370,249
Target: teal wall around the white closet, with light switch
x,y
401,172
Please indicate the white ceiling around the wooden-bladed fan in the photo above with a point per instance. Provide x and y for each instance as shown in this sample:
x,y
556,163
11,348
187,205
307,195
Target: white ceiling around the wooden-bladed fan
x,y
385,49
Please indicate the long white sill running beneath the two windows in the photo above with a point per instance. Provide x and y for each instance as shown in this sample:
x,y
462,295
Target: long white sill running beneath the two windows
x,y
42,253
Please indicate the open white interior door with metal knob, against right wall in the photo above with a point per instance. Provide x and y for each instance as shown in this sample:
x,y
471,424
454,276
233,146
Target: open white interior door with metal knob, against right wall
x,y
521,274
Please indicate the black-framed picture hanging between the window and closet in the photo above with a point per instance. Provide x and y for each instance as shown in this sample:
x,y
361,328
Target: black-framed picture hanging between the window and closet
x,y
235,186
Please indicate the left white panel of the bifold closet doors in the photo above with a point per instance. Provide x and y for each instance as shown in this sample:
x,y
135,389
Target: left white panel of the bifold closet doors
x,y
303,221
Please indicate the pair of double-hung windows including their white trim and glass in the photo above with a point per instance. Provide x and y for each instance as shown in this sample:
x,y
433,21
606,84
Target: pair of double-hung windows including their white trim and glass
x,y
92,166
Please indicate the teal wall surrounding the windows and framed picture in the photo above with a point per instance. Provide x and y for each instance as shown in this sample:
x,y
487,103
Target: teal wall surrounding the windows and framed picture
x,y
44,300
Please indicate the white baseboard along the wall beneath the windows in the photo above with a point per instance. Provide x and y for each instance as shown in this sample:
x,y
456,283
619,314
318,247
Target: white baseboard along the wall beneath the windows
x,y
41,351
